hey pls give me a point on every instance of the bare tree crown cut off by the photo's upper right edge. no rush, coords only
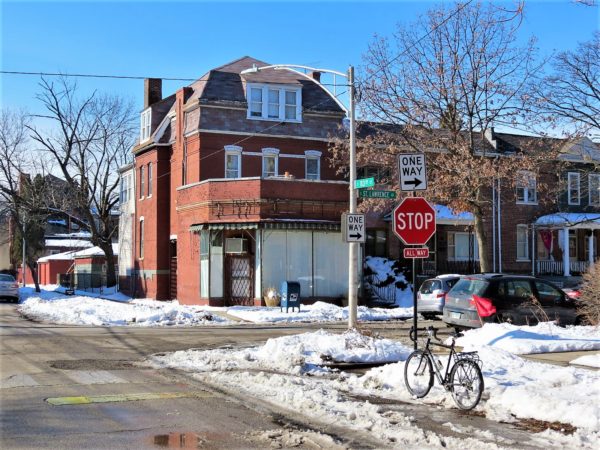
(572, 91)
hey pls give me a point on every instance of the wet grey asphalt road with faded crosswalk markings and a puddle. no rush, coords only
(83, 387)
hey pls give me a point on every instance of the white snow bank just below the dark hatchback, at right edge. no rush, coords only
(542, 338)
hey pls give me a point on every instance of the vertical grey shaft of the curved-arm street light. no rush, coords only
(353, 250)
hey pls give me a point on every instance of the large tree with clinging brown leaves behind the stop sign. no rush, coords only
(442, 84)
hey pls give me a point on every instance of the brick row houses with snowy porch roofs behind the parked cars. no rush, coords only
(530, 220)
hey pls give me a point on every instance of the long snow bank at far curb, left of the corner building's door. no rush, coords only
(83, 310)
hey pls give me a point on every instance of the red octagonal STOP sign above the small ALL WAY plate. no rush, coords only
(414, 221)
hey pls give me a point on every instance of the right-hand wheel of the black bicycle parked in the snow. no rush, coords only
(467, 384)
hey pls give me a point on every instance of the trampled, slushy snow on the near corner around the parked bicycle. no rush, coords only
(285, 372)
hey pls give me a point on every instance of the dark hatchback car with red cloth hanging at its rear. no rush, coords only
(520, 300)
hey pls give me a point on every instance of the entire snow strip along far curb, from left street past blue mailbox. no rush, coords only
(85, 308)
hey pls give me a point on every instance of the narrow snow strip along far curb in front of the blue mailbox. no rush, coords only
(318, 312)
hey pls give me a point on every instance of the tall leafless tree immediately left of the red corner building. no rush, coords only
(92, 137)
